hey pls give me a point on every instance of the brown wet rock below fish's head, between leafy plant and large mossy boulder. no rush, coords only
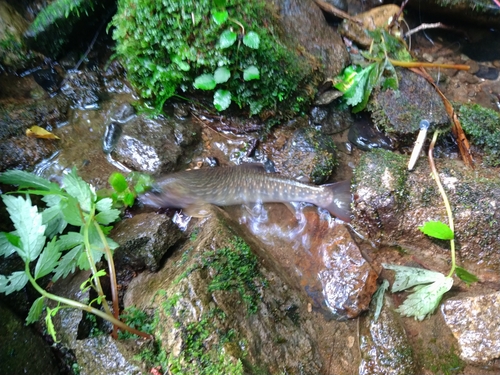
(144, 239)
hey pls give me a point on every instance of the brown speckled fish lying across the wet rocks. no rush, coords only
(243, 184)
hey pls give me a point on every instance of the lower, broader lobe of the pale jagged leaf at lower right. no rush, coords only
(425, 298)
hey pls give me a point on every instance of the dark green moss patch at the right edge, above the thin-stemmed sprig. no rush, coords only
(483, 125)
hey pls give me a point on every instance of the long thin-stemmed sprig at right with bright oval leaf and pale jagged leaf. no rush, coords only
(429, 286)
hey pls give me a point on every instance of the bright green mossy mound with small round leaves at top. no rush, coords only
(175, 46)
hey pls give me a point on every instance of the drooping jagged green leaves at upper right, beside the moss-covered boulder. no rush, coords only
(357, 82)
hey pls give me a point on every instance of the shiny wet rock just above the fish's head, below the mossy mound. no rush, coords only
(155, 145)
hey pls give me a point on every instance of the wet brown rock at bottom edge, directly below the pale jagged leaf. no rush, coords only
(384, 344)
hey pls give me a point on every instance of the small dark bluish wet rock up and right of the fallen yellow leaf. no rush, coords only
(82, 88)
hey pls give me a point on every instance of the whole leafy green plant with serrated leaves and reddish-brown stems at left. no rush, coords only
(35, 240)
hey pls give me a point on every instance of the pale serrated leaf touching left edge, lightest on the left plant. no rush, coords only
(28, 223)
